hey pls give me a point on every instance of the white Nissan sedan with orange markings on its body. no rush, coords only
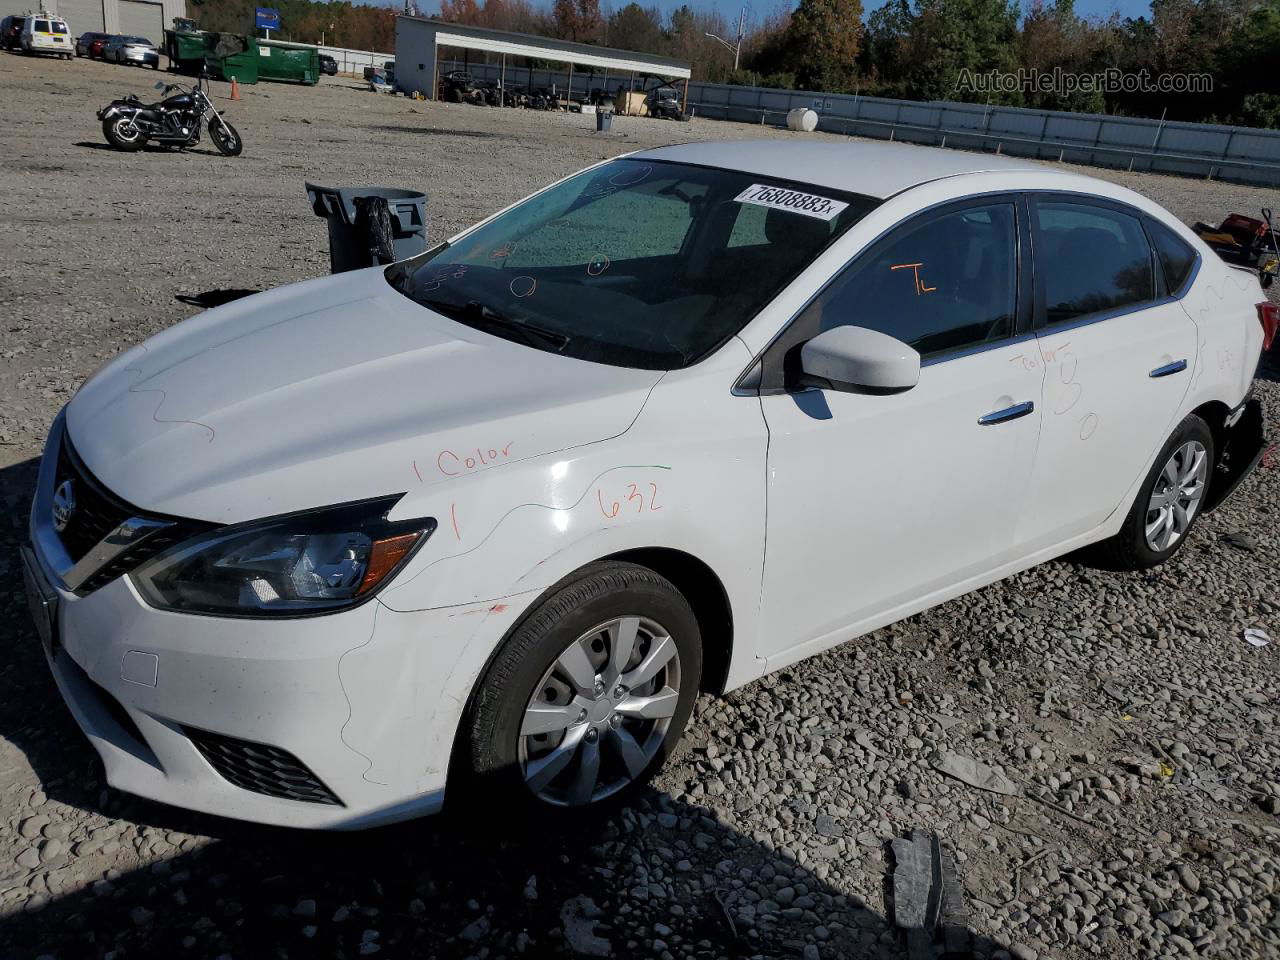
(490, 519)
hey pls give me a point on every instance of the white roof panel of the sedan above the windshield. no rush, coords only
(872, 170)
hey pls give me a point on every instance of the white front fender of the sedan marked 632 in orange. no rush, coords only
(689, 476)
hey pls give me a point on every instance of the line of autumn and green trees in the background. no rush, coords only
(909, 49)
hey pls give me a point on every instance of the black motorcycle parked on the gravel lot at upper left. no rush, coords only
(130, 124)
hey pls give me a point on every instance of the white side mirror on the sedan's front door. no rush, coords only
(857, 360)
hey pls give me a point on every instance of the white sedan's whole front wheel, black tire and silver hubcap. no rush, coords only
(587, 698)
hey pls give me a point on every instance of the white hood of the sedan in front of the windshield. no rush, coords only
(327, 392)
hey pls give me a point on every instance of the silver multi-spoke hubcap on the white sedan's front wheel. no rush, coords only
(601, 712)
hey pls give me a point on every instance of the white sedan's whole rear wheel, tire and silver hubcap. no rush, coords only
(1168, 504)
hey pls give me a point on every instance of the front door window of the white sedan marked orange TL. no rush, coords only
(941, 285)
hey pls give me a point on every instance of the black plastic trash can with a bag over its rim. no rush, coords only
(371, 226)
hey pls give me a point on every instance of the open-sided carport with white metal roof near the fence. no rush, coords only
(419, 42)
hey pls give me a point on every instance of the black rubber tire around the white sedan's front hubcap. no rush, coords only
(490, 760)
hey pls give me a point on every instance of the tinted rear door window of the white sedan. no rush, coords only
(1090, 259)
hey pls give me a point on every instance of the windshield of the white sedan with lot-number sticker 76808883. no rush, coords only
(637, 263)
